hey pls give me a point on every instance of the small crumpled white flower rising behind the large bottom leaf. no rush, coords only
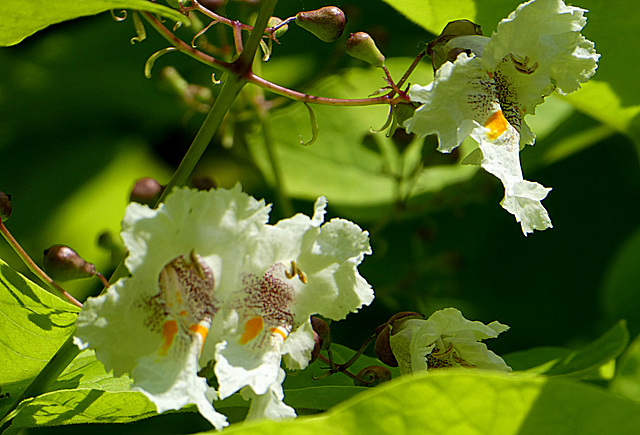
(446, 339)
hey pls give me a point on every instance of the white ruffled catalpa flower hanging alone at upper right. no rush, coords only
(485, 86)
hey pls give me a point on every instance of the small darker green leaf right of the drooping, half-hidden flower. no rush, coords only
(558, 361)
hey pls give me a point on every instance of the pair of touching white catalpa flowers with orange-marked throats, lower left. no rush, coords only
(212, 281)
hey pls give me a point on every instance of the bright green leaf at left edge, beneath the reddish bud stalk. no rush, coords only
(33, 325)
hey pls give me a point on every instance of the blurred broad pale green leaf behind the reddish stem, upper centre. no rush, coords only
(348, 164)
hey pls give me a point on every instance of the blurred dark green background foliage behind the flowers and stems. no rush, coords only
(79, 124)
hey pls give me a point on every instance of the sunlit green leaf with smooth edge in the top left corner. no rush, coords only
(20, 19)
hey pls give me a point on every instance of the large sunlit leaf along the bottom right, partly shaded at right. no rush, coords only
(469, 402)
